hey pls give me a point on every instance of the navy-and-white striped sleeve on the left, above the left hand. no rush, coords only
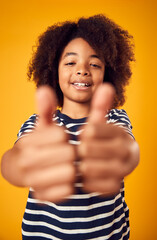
(28, 126)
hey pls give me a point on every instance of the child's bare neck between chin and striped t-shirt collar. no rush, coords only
(76, 110)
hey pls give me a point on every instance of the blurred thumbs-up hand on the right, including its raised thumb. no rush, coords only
(107, 153)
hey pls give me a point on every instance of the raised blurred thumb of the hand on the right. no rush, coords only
(102, 101)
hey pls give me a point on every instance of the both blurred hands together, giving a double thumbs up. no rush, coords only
(44, 160)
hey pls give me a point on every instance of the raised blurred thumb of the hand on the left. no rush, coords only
(46, 105)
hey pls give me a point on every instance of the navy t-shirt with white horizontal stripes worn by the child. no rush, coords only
(85, 215)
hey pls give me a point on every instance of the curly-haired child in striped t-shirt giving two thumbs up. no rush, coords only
(75, 162)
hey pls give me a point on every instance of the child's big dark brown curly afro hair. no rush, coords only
(109, 40)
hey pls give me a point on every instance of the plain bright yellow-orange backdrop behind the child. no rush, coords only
(21, 22)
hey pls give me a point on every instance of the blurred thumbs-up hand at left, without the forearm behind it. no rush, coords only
(46, 159)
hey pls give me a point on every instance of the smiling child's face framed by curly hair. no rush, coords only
(80, 71)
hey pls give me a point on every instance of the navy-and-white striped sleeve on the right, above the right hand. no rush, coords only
(120, 118)
